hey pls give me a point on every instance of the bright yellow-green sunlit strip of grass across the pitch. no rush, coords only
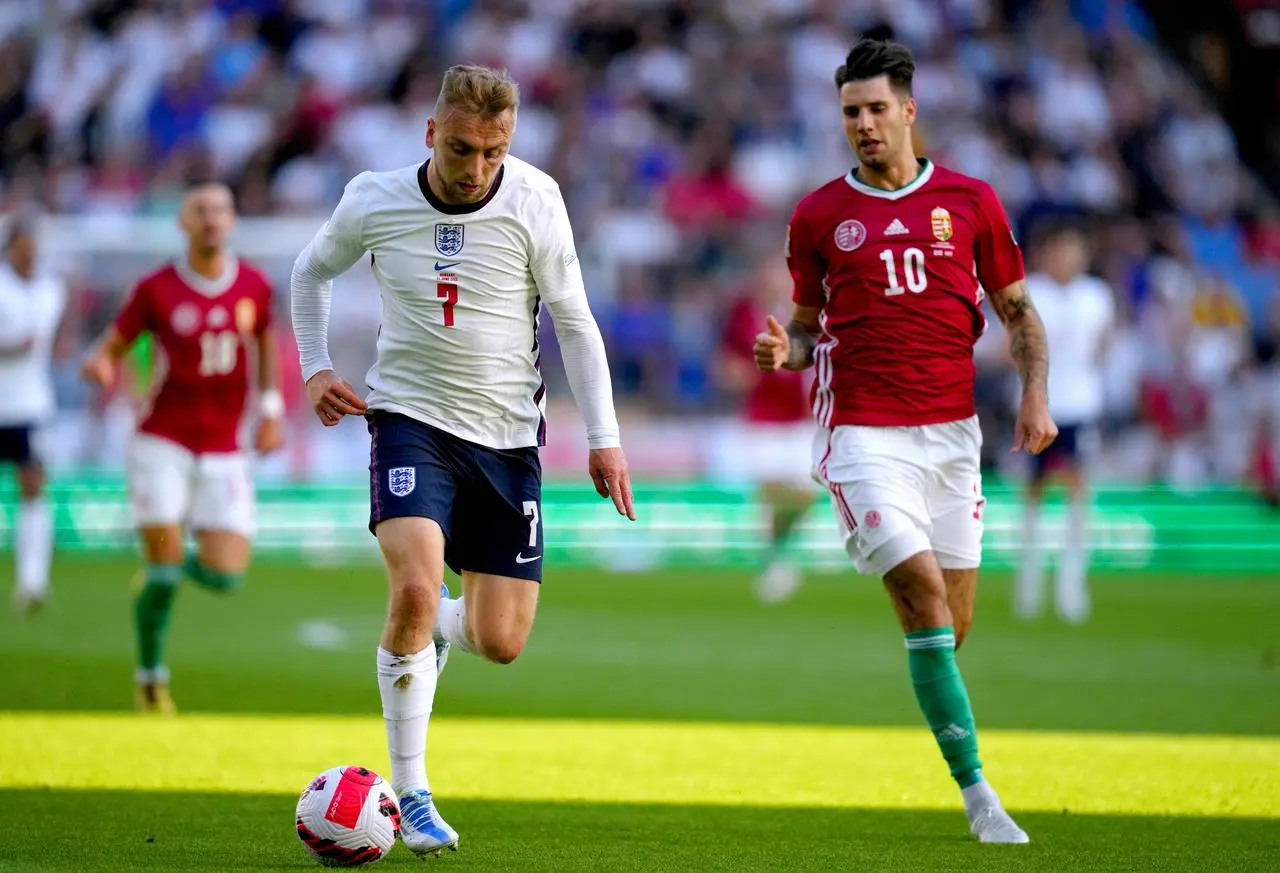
(651, 762)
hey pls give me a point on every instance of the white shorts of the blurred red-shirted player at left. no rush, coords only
(172, 486)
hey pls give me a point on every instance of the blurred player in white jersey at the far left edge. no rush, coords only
(31, 309)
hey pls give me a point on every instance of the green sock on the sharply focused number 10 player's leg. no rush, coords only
(940, 689)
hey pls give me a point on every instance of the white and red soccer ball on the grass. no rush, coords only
(349, 817)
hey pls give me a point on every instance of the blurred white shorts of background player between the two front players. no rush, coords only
(764, 454)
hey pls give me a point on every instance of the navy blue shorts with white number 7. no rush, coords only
(488, 502)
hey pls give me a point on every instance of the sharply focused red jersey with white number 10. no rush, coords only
(899, 277)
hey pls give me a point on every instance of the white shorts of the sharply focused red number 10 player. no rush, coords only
(903, 491)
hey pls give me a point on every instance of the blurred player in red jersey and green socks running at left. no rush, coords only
(186, 465)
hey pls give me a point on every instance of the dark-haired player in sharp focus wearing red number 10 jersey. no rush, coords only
(890, 264)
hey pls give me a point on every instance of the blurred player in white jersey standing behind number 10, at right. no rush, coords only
(1080, 317)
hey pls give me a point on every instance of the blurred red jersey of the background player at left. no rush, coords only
(200, 330)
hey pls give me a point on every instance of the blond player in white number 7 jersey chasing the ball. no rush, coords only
(467, 249)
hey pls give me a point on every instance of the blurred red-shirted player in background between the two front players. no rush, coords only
(770, 447)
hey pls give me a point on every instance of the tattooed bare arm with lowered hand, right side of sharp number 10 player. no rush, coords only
(1030, 350)
